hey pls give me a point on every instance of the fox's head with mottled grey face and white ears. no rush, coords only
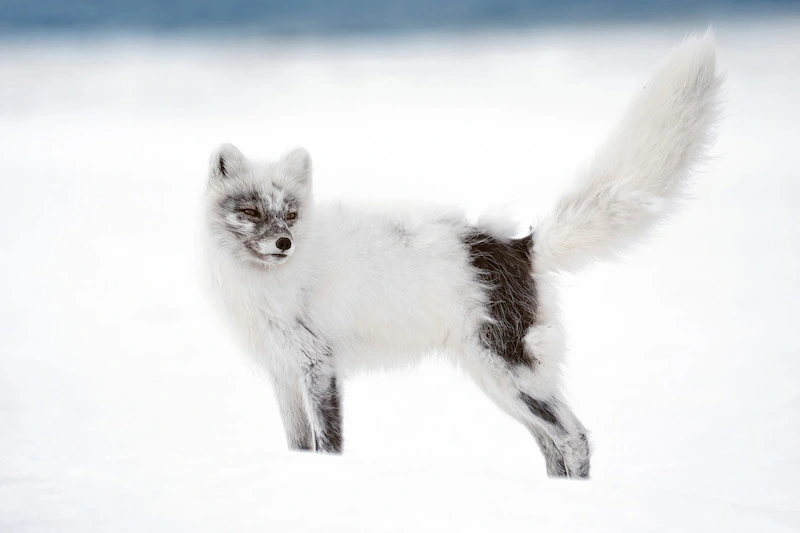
(257, 211)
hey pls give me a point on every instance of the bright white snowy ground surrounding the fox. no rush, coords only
(125, 407)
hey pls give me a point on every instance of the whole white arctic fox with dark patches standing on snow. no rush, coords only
(318, 291)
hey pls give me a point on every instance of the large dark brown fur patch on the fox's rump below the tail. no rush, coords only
(504, 267)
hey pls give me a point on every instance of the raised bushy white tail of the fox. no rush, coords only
(638, 176)
